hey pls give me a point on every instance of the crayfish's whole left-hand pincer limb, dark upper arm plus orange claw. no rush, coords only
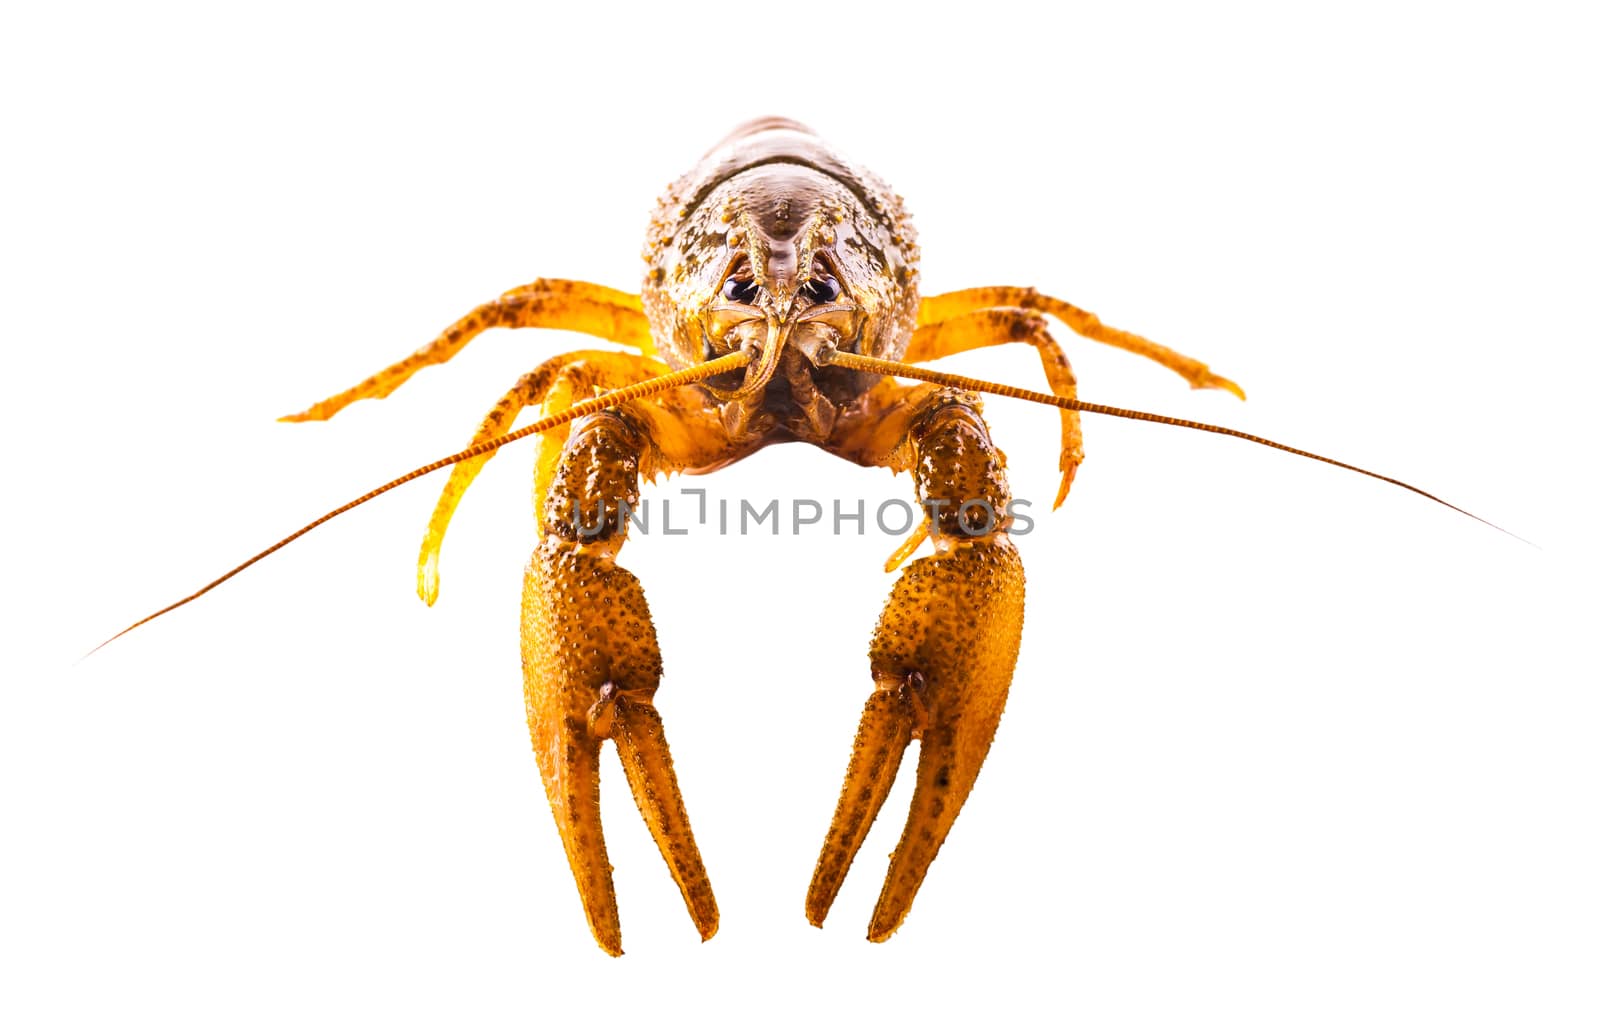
(591, 668)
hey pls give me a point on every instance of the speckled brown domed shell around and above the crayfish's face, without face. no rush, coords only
(775, 178)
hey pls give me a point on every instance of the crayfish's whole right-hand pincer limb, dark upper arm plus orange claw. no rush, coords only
(942, 658)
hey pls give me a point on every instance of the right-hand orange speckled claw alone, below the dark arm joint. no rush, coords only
(942, 660)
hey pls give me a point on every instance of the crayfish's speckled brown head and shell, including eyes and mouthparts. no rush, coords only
(777, 247)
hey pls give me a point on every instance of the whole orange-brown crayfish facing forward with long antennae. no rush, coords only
(780, 305)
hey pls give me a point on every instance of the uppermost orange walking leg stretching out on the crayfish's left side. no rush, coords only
(567, 306)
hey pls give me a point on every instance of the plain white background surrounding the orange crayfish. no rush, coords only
(1284, 744)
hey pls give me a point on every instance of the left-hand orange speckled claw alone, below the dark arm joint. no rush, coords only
(591, 669)
